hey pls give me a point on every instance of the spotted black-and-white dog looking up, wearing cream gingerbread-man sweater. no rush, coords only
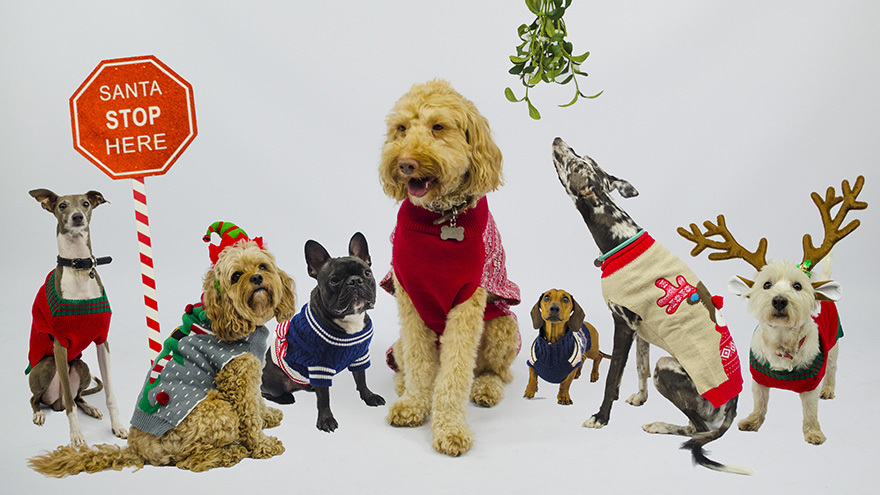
(655, 297)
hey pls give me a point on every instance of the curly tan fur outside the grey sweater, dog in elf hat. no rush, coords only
(228, 425)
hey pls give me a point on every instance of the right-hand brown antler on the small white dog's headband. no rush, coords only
(833, 231)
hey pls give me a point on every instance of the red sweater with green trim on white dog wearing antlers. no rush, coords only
(809, 376)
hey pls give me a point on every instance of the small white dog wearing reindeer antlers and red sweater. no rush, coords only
(794, 346)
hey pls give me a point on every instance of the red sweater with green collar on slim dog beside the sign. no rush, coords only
(74, 323)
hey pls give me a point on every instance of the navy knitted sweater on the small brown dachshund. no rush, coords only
(554, 362)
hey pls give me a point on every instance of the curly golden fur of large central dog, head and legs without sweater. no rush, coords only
(439, 154)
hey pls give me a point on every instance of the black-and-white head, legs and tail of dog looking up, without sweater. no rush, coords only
(590, 187)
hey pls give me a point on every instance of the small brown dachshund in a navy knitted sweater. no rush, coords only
(558, 317)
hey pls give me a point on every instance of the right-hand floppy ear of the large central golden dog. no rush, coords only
(485, 174)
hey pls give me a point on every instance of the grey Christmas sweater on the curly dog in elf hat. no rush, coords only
(185, 369)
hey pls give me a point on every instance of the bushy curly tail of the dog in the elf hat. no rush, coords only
(67, 460)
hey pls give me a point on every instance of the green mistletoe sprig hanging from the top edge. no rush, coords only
(545, 55)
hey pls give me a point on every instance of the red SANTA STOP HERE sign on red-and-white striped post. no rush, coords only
(133, 117)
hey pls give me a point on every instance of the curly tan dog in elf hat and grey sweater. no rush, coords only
(200, 406)
